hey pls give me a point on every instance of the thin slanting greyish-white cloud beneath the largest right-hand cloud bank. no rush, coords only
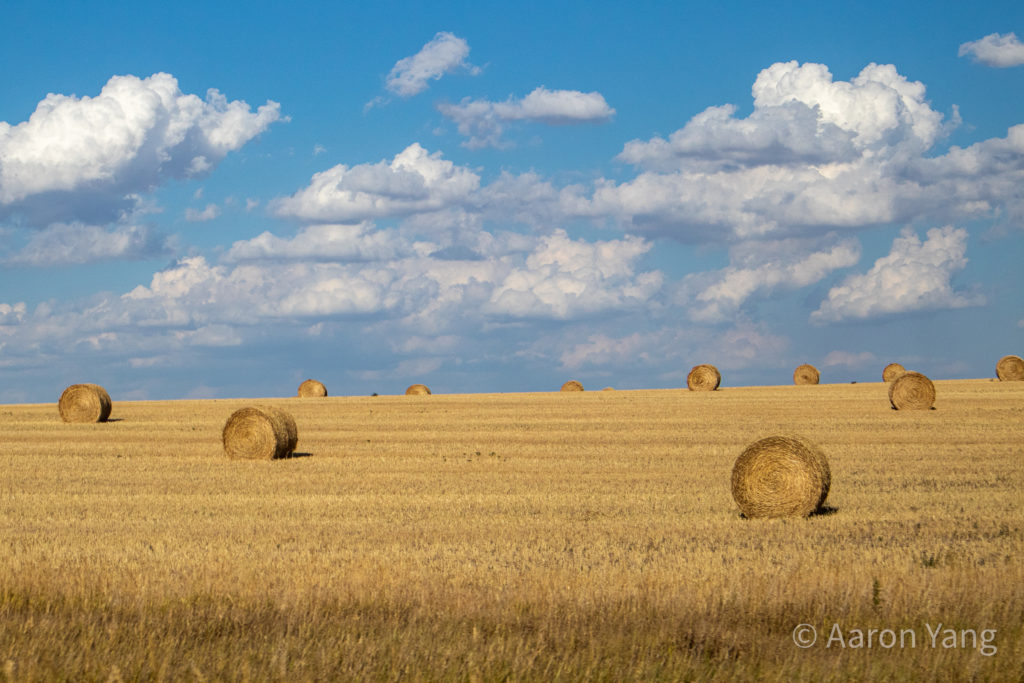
(765, 267)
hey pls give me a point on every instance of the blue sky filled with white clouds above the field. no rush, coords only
(202, 201)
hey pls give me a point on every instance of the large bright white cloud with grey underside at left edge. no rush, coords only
(87, 158)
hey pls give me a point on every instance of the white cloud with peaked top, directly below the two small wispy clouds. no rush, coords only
(414, 181)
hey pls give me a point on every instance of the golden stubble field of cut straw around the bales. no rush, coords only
(516, 537)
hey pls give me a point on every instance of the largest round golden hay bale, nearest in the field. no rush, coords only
(781, 477)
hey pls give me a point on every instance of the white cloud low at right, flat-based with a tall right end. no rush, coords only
(916, 276)
